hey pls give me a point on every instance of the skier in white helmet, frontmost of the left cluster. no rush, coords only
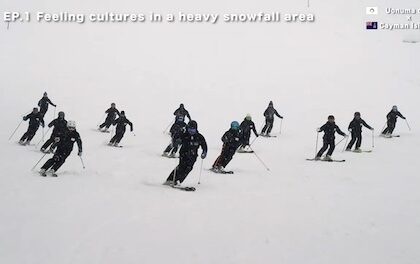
(64, 148)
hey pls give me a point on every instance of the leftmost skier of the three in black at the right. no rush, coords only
(329, 138)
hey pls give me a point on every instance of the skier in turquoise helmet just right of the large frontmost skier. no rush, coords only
(231, 142)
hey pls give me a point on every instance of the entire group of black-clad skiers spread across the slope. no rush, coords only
(185, 137)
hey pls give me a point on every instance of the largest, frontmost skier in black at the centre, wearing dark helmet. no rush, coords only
(191, 141)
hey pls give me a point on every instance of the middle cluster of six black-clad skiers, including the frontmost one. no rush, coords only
(188, 139)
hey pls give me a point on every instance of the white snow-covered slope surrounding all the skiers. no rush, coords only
(365, 210)
